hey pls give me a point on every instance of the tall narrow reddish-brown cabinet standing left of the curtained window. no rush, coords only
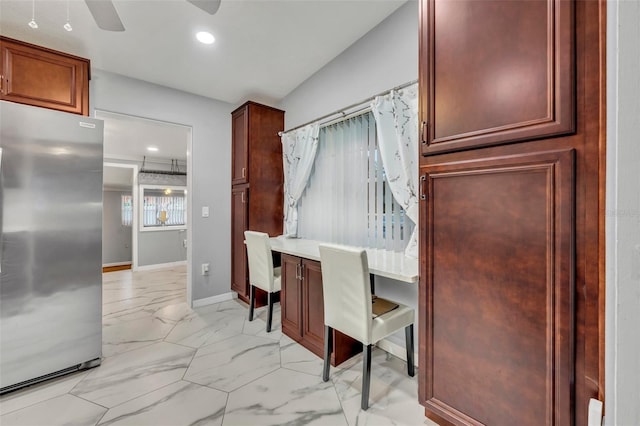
(256, 184)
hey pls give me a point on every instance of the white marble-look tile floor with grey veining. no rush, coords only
(167, 364)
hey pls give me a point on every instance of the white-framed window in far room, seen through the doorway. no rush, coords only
(163, 207)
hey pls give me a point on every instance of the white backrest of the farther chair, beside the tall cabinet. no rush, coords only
(260, 260)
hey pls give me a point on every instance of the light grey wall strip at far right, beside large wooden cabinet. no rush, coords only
(622, 335)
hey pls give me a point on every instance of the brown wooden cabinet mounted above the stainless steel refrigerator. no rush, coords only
(42, 77)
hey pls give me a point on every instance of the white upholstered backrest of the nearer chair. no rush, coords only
(346, 291)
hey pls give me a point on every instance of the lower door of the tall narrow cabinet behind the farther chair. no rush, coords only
(239, 216)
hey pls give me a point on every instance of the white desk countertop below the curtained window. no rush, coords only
(383, 263)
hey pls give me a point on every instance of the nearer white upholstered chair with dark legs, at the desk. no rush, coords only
(348, 309)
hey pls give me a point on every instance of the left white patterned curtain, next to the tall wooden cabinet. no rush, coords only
(298, 152)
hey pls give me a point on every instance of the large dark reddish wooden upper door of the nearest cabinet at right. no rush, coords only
(494, 72)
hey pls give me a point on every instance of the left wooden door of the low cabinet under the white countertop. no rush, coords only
(291, 297)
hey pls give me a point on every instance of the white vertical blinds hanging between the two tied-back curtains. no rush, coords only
(347, 199)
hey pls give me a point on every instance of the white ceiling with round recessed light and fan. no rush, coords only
(264, 48)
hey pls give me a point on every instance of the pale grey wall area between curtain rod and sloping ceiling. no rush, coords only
(385, 57)
